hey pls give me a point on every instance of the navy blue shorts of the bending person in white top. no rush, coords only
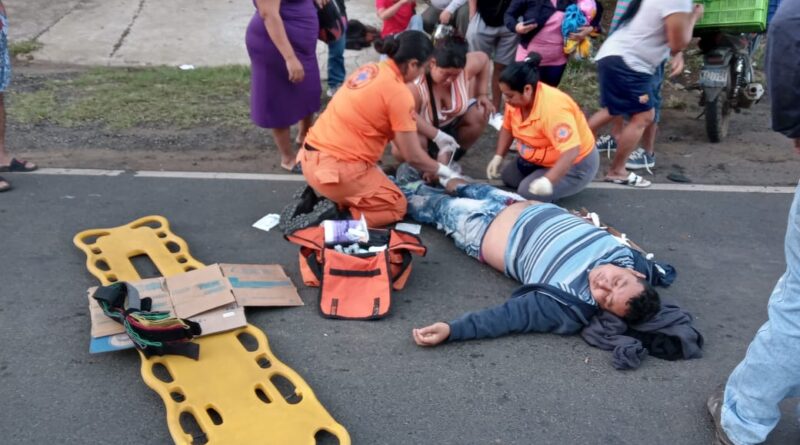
(623, 91)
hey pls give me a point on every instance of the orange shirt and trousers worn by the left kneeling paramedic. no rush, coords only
(343, 147)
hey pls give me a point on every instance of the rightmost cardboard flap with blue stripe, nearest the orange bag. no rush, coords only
(261, 285)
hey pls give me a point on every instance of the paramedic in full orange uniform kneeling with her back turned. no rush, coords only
(373, 107)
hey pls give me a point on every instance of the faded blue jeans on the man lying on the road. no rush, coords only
(465, 216)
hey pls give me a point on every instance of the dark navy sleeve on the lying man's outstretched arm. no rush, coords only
(531, 312)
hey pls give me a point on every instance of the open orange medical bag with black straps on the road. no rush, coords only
(356, 286)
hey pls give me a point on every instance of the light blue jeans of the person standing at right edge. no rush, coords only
(770, 371)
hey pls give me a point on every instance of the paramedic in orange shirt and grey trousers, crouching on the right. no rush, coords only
(557, 157)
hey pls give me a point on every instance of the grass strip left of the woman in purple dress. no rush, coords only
(123, 98)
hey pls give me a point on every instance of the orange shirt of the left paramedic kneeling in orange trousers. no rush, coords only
(373, 104)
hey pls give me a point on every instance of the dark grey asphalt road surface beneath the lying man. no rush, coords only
(528, 389)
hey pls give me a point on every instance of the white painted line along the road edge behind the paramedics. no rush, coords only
(278, 177)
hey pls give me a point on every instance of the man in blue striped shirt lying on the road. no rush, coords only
(577, 278)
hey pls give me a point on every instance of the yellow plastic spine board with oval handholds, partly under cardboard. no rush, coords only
(238, 392)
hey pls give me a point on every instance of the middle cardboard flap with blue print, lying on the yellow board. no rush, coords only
(199, 291)
